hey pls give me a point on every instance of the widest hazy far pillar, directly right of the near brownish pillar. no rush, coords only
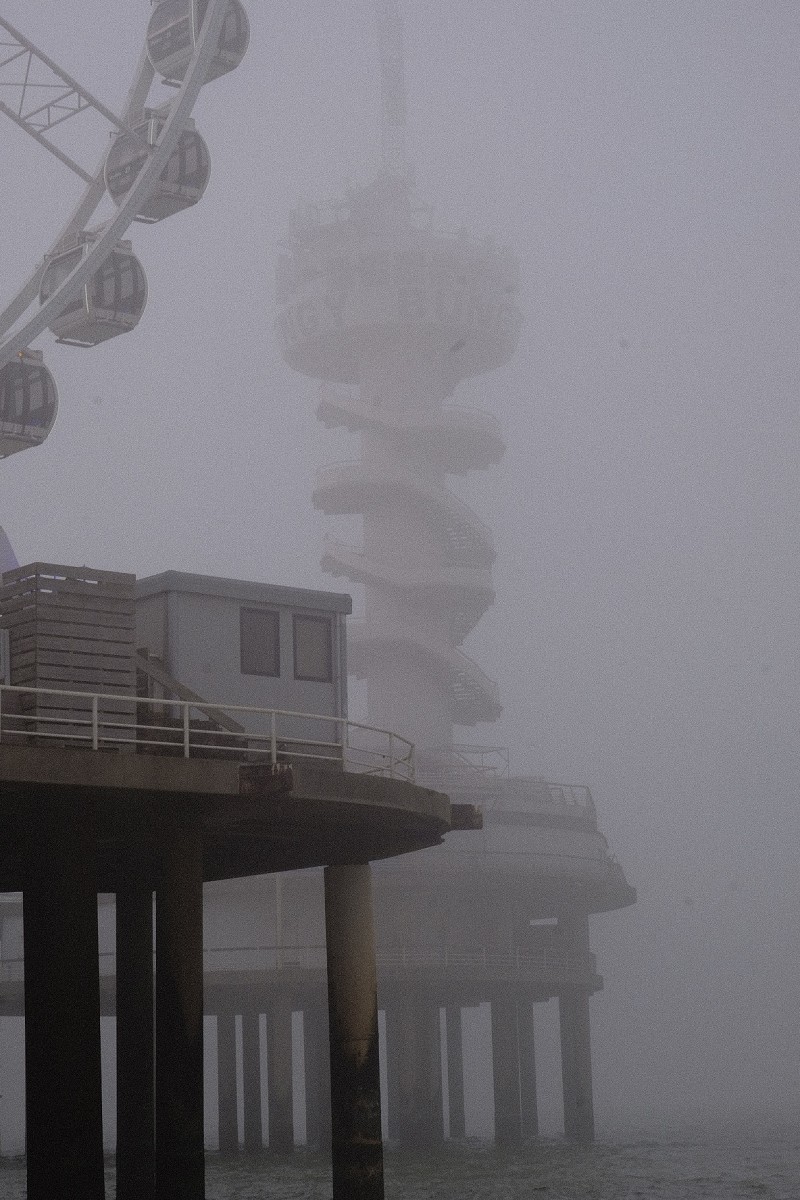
(414, 1063)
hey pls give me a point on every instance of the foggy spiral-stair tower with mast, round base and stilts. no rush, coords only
(390, 315)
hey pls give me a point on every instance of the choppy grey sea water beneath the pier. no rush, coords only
(721, 1167)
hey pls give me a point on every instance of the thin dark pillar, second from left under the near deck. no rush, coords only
(136, 1163)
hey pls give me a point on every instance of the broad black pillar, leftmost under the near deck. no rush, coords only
(63, 1067)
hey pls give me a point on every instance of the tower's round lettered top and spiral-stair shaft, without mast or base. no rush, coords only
(392, 316)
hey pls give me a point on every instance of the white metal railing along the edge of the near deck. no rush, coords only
(197, 730)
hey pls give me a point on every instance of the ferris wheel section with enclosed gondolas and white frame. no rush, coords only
(91, 286)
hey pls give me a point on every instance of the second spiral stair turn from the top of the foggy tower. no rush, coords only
(353, 488)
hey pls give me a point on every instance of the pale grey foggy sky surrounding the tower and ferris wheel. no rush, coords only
(642, 161)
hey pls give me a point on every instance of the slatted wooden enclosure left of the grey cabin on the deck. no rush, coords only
(71, 629)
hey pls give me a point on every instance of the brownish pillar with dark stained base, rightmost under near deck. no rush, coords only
(358, 1157)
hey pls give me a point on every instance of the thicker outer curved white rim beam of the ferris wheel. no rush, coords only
(149, 175)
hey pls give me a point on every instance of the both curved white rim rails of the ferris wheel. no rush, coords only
(15, 341)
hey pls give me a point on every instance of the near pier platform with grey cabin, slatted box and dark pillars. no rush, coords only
(118, 779)
